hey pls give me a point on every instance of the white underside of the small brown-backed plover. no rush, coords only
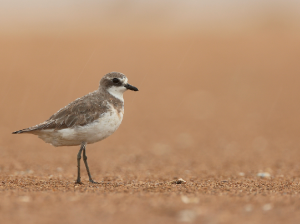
(98, 130)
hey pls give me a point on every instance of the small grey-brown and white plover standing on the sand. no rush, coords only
(86, 120)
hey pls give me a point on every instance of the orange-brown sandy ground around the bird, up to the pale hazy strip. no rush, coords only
(222, 113)
